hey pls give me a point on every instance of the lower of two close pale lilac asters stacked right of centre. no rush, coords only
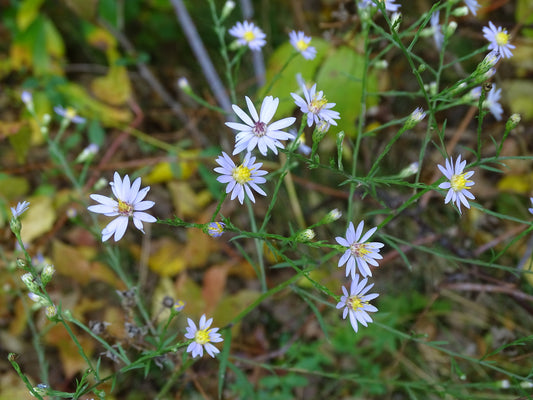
(356, 303)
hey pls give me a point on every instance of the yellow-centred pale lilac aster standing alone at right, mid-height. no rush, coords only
(458, 185)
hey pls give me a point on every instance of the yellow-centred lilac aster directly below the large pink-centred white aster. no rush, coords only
(242, 179)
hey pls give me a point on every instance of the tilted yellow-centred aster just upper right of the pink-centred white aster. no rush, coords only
(316, 106)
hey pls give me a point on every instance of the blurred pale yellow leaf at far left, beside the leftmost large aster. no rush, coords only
(39, 218)
